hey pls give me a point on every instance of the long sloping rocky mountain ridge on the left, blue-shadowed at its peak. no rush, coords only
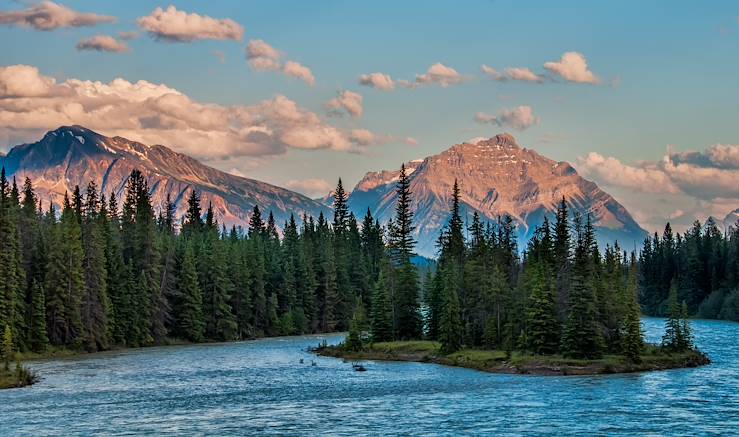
(74, 155)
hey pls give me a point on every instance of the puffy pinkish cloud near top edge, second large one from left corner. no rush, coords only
(179, 26)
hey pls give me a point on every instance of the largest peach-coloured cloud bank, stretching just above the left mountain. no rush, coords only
(31, 103)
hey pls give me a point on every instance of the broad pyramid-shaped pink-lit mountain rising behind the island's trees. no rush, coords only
(496, 177)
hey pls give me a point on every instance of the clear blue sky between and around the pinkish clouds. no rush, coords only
(667, 76)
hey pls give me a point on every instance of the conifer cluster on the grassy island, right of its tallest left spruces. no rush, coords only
(560, 296)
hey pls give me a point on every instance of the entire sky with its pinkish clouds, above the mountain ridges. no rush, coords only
(641, 97)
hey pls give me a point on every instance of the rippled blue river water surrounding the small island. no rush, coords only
(260, 387)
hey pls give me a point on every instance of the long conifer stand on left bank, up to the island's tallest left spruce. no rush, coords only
(97, 275)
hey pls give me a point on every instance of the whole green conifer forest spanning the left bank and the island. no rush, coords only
(96, 275)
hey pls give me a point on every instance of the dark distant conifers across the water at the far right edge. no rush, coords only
(701, 265)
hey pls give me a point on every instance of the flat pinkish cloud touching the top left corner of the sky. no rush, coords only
(48, 15)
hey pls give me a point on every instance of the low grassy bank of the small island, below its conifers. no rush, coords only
(496, 361)
